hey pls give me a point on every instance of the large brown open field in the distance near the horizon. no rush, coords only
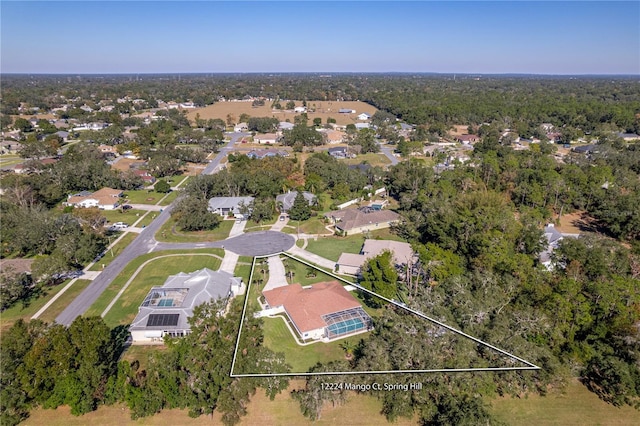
(324, 110)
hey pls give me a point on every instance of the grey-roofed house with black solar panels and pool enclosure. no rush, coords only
(167, 309)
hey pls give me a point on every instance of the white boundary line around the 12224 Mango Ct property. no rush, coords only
(529, 365)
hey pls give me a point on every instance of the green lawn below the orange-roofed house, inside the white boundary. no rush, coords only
(278, 338)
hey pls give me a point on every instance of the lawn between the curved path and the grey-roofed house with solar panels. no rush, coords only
(153, 274)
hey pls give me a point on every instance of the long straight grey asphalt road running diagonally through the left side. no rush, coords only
(144, 243)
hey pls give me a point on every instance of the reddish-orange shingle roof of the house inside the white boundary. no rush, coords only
(306, 306)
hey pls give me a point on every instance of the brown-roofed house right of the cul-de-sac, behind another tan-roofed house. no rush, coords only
(357, 221)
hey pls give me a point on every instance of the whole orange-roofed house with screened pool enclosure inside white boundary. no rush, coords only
(324, 311)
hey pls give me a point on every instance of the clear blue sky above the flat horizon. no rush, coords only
(478, 37)
